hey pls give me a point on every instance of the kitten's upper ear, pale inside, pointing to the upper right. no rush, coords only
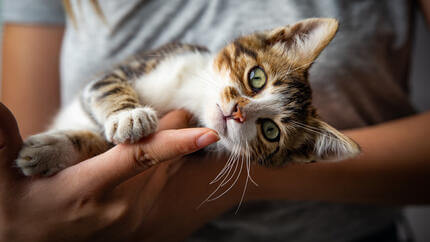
(303, 41)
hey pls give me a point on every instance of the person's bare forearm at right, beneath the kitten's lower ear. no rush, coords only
(394, 168)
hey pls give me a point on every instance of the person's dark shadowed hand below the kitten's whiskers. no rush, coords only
(177, 212)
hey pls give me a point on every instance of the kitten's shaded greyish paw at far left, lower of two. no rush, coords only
(45, 154)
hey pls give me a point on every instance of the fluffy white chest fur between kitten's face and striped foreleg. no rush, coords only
(177, 82)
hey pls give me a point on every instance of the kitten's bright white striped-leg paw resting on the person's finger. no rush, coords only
(130, 126)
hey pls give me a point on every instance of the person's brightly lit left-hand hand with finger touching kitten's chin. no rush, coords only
(105, 198)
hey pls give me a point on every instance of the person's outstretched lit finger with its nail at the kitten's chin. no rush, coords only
(122, 162)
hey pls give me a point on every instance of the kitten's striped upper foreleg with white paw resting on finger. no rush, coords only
(114, 104)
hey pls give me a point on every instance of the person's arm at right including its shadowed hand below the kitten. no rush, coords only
(393, 169)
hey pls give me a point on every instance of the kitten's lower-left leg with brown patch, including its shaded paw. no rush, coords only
(50, 152)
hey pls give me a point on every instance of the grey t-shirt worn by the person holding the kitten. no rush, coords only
(359, 80)
